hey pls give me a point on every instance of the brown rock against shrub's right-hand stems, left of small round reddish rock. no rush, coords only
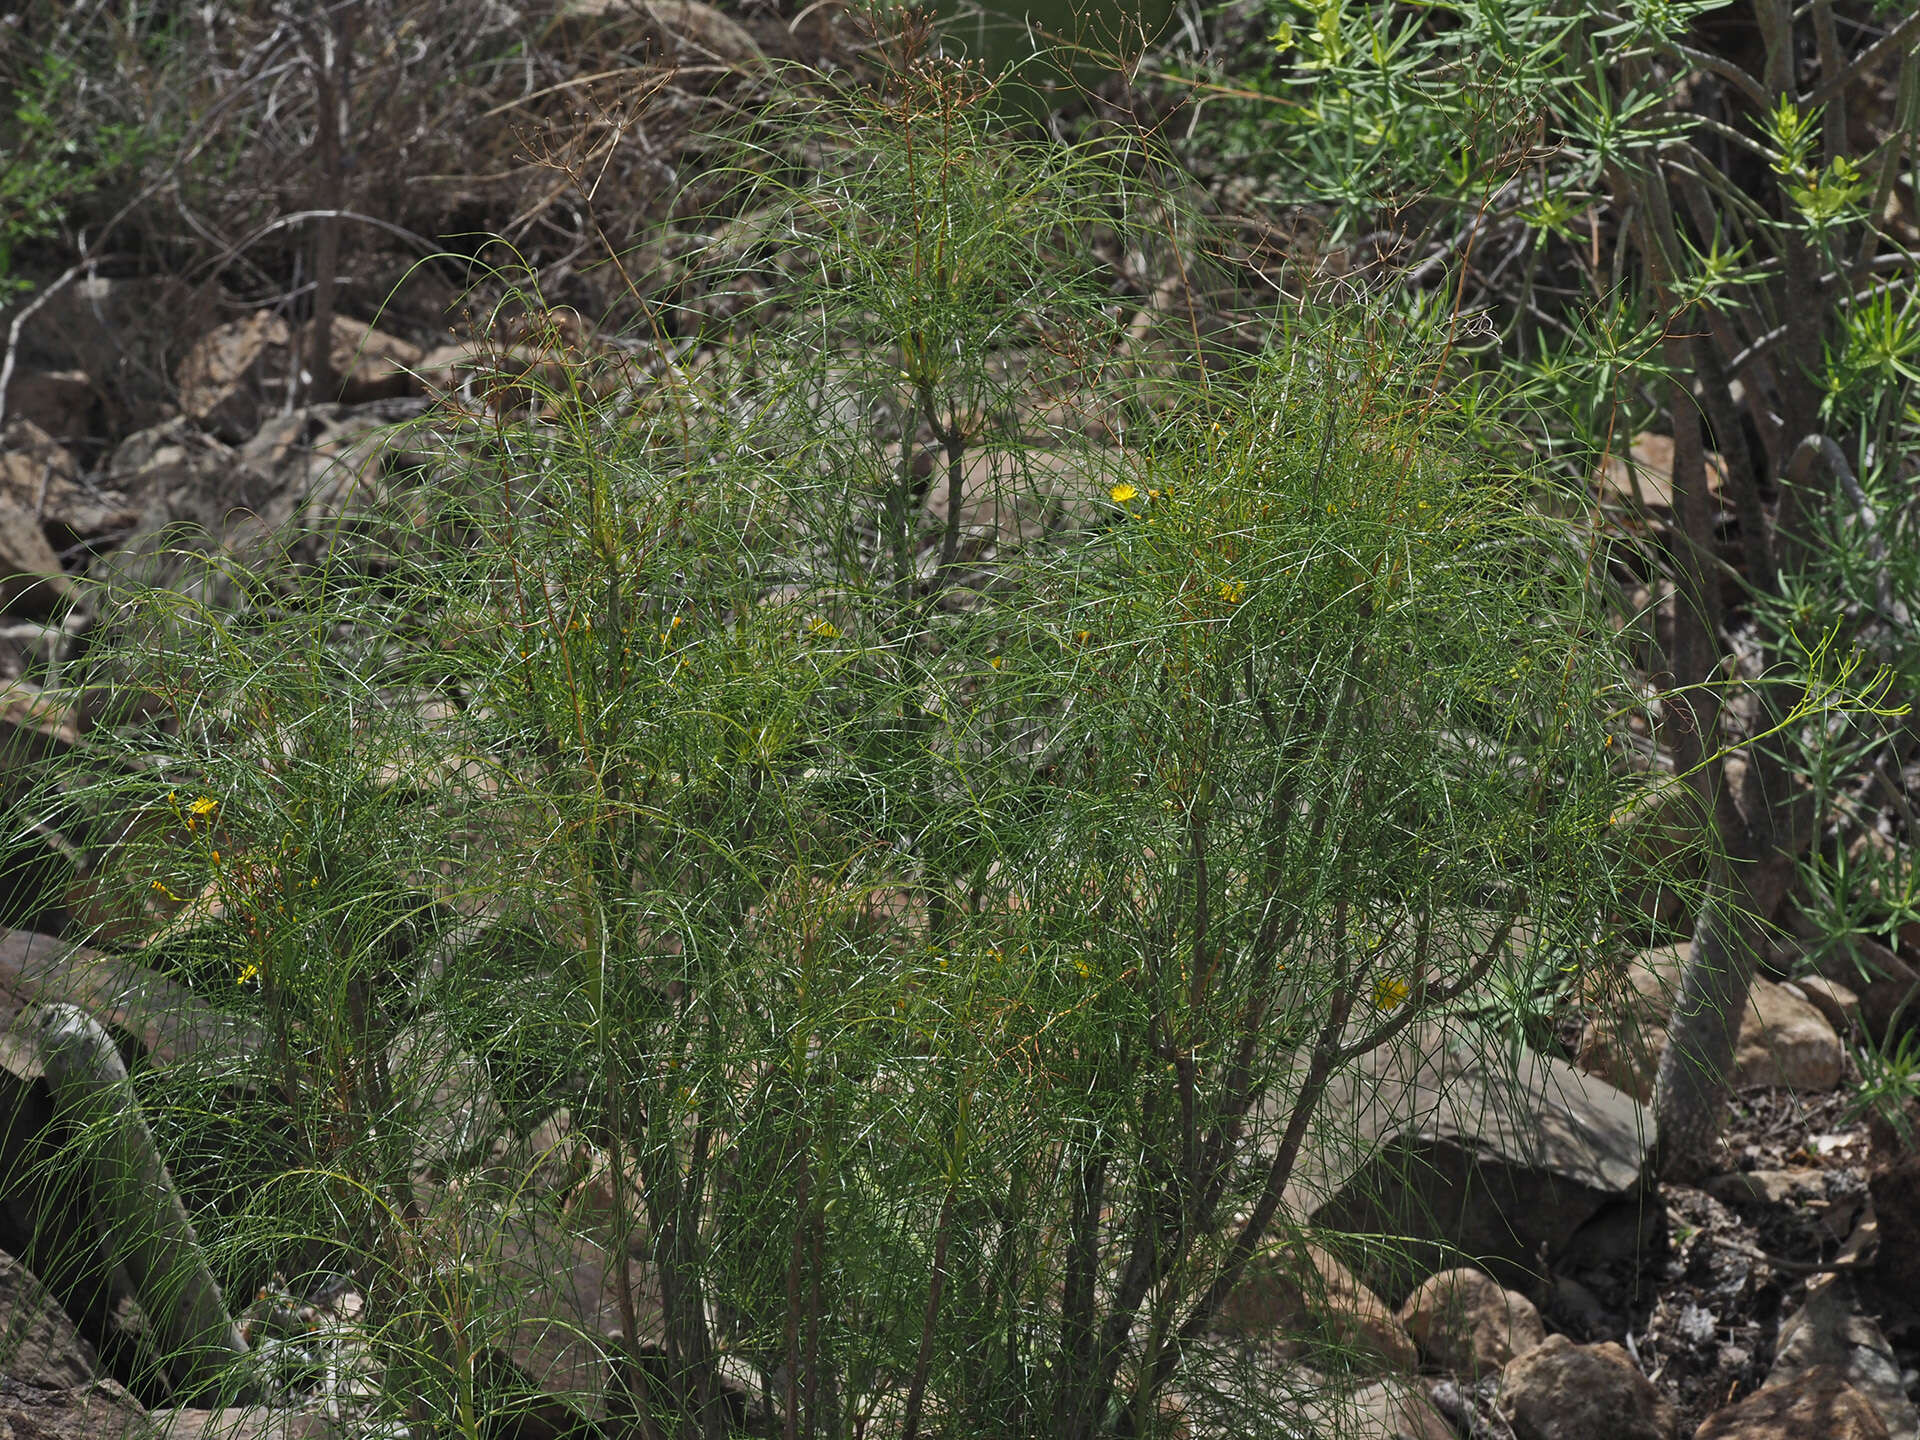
(1310, 1301)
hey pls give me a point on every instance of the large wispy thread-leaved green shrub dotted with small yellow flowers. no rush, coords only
(955, 936)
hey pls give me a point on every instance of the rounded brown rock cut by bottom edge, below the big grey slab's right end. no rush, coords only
(1560, 1391)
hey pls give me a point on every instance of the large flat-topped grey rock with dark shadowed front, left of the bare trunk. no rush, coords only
(1462, 1147)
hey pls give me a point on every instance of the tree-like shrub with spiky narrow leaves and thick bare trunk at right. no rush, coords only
(1698, 220)
